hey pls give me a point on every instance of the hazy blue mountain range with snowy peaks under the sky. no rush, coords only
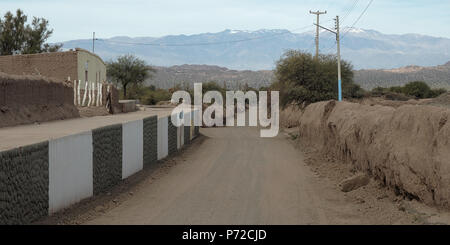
(259, 50)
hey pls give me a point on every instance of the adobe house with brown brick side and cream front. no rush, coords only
(78, 64)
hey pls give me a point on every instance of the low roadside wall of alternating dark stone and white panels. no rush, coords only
(41, 179)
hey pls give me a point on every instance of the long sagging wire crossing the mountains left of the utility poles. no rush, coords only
(205, 43)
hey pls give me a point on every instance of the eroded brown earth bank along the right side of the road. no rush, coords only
(407, 148)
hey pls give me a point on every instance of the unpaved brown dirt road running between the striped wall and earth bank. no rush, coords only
(232, 176)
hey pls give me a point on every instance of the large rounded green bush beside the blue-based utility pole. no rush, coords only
(303, 79)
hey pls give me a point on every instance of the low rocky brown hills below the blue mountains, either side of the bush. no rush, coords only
(167, 77)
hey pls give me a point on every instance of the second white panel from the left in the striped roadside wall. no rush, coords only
(132, 148)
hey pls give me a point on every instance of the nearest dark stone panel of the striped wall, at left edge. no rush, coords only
(24, 184)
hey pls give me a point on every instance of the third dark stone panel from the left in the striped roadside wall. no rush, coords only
(150, 140)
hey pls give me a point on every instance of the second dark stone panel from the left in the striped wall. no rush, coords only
(107, 157)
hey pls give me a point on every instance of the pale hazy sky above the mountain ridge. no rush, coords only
(72, 19)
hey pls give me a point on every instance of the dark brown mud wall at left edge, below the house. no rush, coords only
(30, 99)
